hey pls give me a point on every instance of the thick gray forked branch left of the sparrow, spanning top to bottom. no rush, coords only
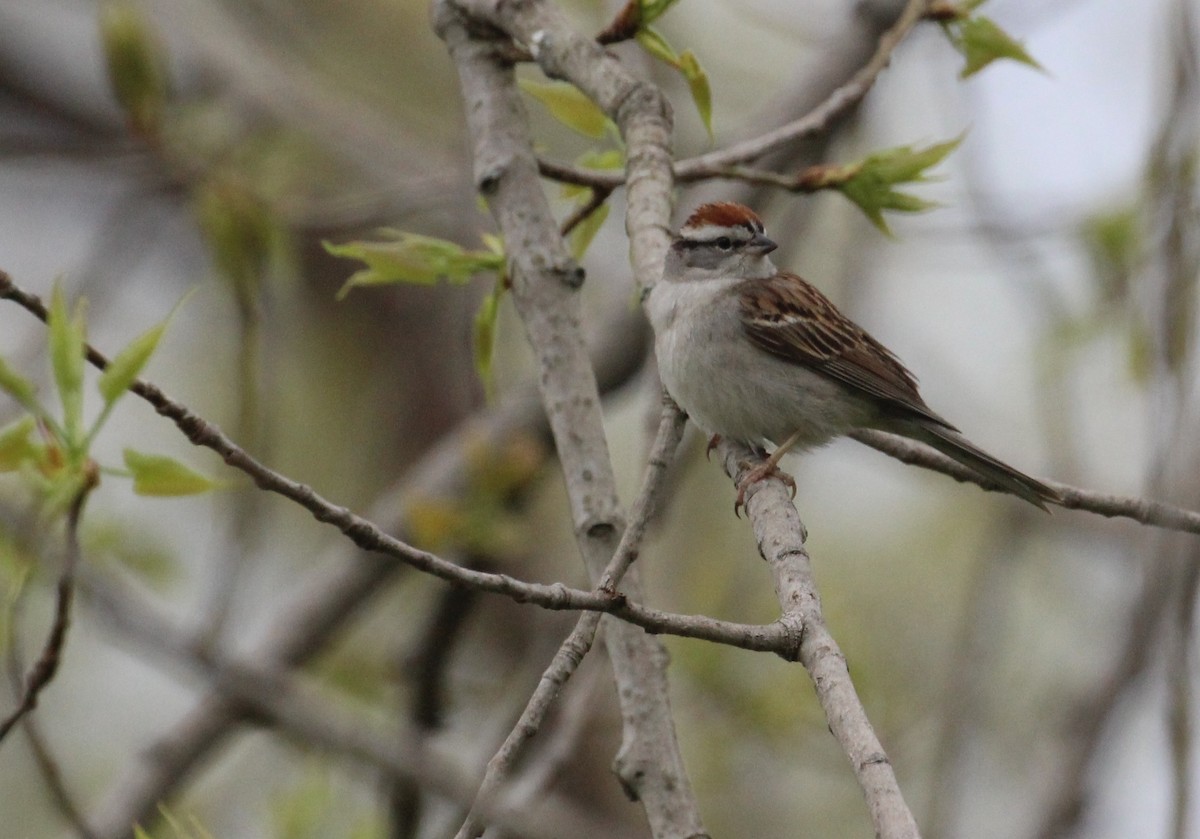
(545, 284)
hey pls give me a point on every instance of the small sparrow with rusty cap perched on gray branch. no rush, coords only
(753, 353)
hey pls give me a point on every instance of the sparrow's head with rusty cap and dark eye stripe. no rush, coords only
(721, 241)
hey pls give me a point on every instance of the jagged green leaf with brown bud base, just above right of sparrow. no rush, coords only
(871, 183)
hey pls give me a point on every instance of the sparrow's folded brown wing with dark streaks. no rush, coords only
(793, 321)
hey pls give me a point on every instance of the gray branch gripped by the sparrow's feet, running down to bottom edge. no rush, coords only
(782, 536)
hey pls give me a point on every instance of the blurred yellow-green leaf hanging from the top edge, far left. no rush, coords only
(137, 69)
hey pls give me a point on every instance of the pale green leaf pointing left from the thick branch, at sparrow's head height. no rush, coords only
(413, 259)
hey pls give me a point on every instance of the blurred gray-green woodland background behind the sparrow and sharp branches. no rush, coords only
(1030, 675)
